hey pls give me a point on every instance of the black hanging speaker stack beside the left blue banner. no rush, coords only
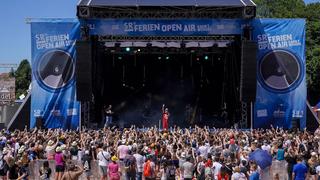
(83, 70)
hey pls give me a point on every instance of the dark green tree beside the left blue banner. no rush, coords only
(23, 77)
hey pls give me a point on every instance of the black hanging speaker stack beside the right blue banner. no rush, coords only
(248, 79)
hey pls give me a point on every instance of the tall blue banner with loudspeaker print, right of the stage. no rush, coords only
(281, 85)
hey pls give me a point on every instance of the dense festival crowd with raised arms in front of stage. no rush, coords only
(194, 153)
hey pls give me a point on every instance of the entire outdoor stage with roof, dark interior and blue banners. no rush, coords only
(212, 63)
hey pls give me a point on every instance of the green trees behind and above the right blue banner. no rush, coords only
(311, 12)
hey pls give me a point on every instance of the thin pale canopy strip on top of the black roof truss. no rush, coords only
(196, 3)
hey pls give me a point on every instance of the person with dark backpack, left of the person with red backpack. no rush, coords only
(130, 166)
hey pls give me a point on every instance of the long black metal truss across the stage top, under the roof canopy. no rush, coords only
(165, 12)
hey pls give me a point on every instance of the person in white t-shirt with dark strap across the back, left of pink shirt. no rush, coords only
(103, 157)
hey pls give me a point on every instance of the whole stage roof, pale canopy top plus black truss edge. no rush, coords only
(166, 9)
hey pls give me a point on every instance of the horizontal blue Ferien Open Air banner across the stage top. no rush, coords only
(165, 27)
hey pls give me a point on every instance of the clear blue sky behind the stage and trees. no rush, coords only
(15, 33)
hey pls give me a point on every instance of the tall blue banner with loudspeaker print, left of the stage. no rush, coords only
(53, 98)
